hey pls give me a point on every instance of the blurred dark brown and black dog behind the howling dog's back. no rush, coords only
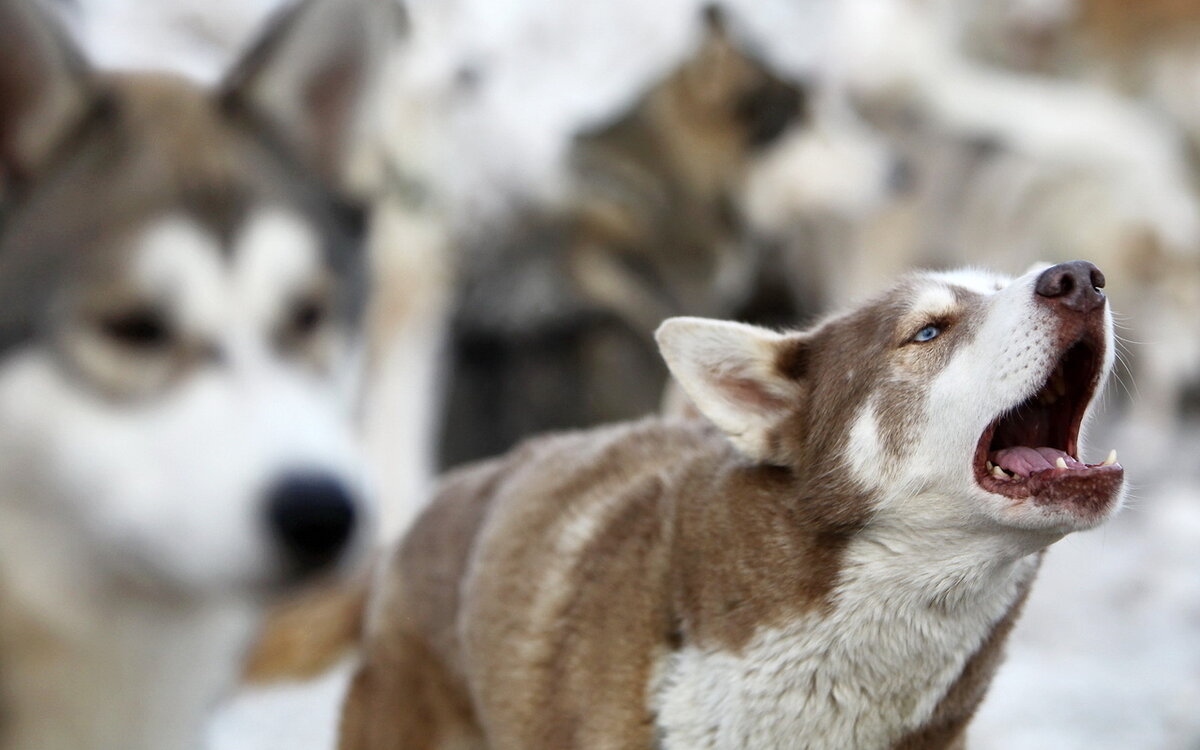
(555, 310)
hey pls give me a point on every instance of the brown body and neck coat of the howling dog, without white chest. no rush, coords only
(470, 601)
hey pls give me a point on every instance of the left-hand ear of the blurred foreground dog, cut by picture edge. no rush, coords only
(45, 88)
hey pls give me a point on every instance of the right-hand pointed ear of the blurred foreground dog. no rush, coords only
(310, 76)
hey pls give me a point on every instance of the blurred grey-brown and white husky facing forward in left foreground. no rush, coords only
(183, 286)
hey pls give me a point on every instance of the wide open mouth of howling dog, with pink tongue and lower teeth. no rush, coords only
(1033, 451)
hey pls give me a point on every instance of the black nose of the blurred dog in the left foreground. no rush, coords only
(313, 517)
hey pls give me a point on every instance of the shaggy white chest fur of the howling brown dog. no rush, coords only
(861, 676)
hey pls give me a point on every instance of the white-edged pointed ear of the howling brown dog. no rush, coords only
(741, 377)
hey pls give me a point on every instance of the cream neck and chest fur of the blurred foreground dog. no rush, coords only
(130, 673)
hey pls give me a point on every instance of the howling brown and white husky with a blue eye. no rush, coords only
(832, 561)
